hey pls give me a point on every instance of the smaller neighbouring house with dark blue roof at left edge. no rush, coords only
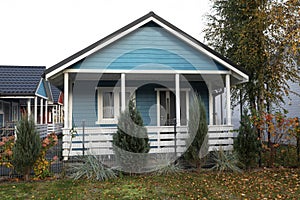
(24, 91)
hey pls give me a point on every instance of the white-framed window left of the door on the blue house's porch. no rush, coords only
(109, 103)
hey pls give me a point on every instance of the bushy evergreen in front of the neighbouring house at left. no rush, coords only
(27, 147)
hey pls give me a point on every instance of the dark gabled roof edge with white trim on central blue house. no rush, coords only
(150, 17)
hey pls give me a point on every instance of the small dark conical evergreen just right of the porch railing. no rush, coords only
(246, 144)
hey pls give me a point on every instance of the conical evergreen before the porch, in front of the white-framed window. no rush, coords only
(131, 142)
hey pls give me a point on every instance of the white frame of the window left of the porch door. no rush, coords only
(116, 91)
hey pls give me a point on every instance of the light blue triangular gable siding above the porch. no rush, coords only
(148, 48)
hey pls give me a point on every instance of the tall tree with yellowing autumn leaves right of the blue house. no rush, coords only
(264, 38)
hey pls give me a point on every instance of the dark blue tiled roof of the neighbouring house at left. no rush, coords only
(20, 80)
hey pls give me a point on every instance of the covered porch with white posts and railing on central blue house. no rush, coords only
(166, 120)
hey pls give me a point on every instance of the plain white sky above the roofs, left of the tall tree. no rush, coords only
(40, 32)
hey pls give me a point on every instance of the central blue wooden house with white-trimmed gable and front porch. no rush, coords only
(158, 65)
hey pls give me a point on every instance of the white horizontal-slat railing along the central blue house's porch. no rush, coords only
(98, 141)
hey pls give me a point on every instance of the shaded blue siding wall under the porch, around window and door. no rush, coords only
(85, 106)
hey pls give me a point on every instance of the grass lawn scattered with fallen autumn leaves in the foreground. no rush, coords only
(260, 184)
